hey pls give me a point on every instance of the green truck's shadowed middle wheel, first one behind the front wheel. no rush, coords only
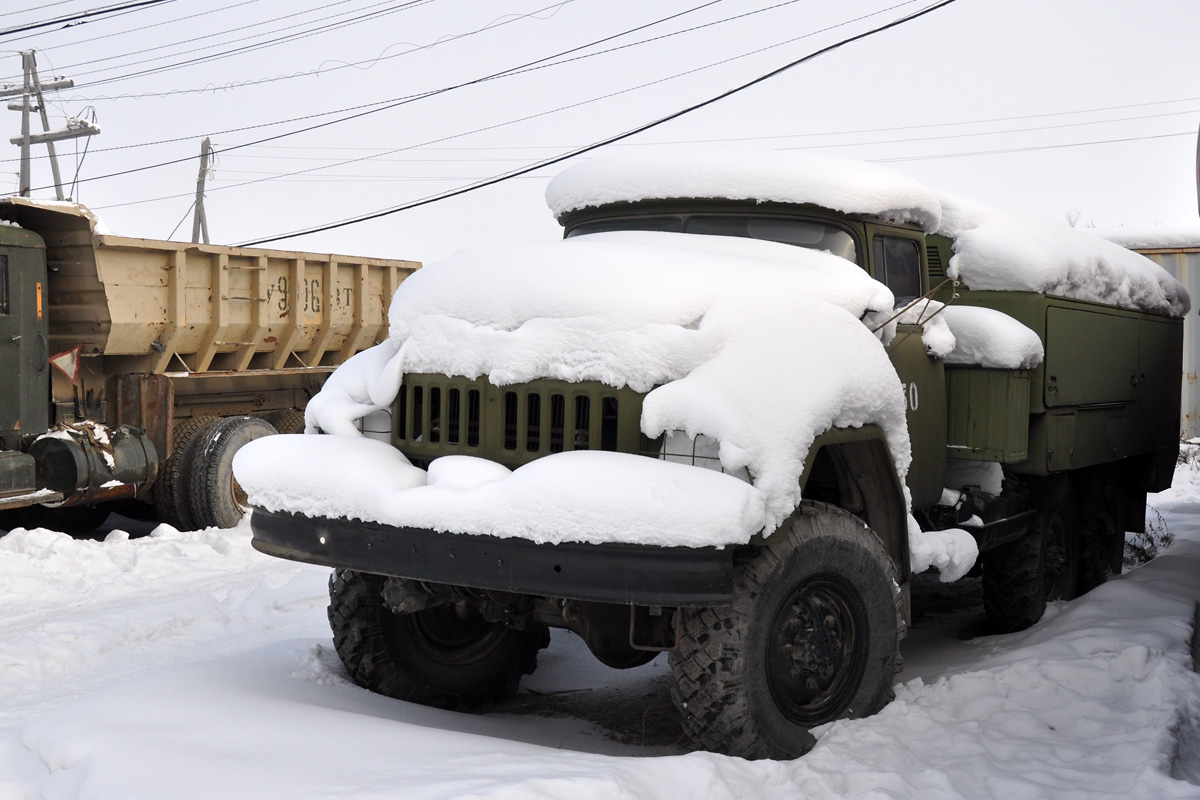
(1022, 576)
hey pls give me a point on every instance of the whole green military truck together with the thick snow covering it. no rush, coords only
(551, 476)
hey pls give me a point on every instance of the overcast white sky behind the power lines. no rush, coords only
(1082, 109)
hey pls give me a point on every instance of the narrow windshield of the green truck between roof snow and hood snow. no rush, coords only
(788, 231)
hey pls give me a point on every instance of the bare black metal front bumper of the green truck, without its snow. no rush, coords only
(635, 575)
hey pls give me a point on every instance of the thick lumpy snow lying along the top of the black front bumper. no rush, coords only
(580, 497)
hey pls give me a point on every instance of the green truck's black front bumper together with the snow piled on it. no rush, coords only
(584, 526)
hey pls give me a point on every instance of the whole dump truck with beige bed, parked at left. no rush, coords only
(135, 369)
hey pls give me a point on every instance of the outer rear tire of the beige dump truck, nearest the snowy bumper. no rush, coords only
(215, 498)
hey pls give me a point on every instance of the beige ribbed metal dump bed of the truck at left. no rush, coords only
(159, 306)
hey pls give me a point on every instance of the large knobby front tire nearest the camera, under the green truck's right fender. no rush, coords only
(813, 636)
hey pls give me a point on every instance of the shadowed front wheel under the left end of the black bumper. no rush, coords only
(435, 657)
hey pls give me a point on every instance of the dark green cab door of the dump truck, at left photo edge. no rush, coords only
(25, 371)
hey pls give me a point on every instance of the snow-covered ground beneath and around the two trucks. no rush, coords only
(190, 666)
